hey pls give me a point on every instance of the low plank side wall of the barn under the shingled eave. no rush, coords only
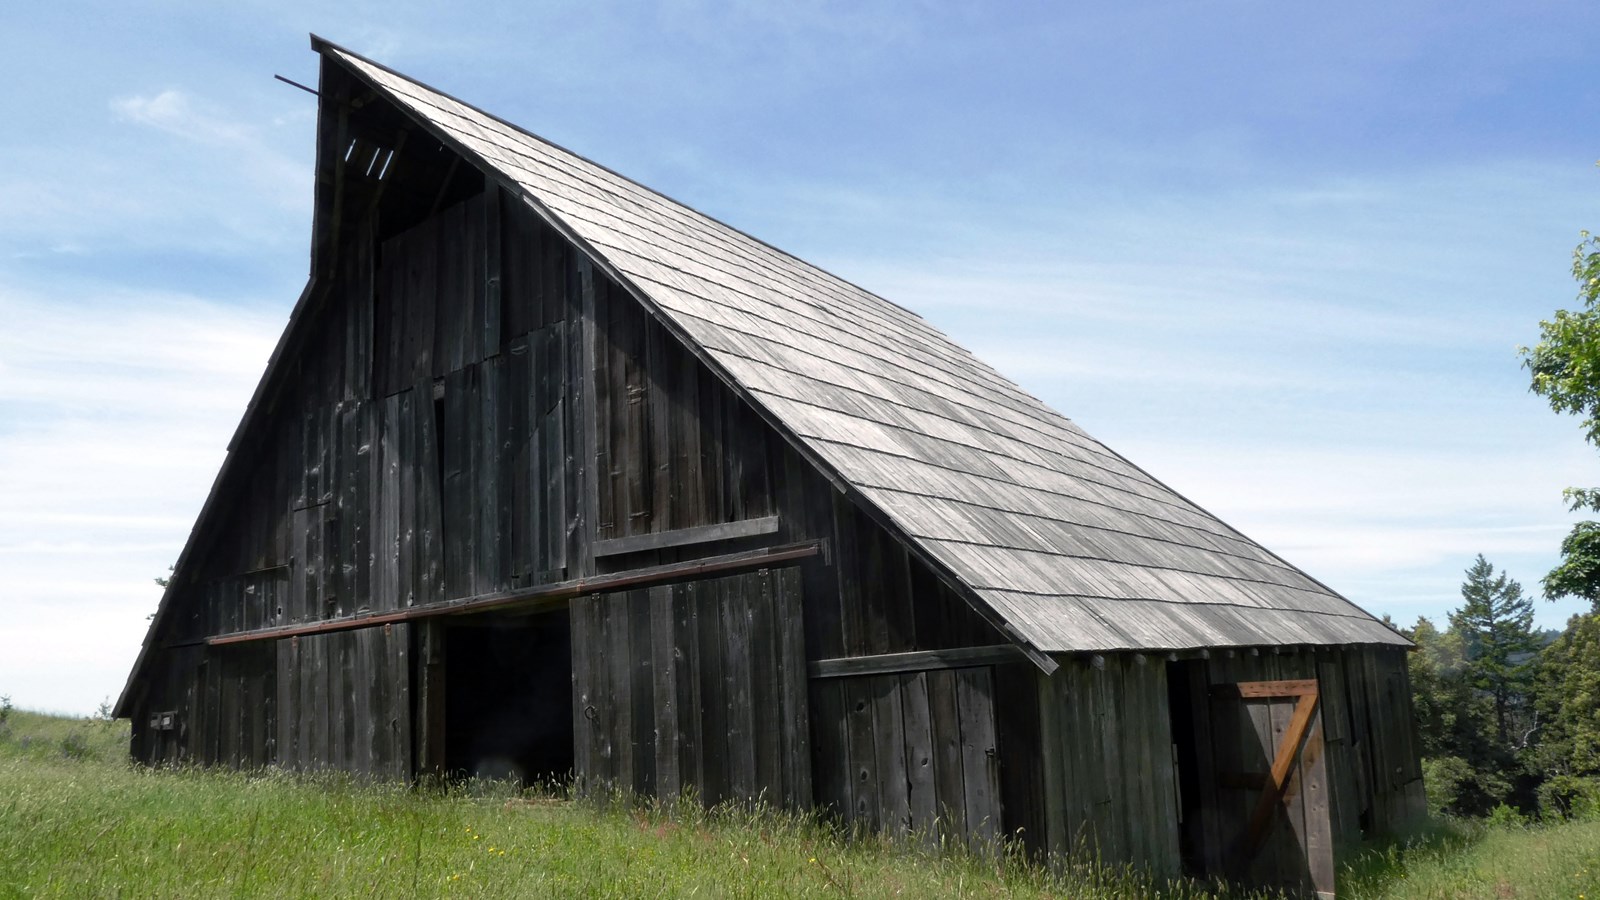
(1111, 773)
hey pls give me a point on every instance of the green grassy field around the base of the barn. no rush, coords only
(78, 822)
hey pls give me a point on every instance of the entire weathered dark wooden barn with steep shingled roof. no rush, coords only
(551, 475)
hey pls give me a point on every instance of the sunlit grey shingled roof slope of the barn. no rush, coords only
(1070, 544)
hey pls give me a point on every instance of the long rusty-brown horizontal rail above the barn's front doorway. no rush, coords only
(542, 595)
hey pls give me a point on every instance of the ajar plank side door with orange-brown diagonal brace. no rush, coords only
(1271, 826)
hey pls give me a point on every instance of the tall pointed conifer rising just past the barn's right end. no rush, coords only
(1495, 624)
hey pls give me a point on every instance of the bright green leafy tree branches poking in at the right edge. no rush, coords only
(1566, 371)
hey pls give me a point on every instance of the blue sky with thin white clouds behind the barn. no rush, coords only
(1278, 257)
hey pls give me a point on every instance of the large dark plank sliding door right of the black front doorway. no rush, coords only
(695, 688)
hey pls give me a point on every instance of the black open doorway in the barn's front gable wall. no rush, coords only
(510, 699)
